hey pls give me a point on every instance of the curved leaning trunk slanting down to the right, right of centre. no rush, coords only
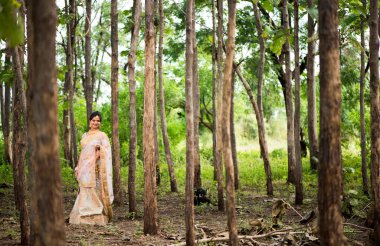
(261, 130)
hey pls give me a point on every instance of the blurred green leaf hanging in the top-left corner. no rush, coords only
(11, 25)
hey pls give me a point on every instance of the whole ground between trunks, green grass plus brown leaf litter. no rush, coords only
(254, 208)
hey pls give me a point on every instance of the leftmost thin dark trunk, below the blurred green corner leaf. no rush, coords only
(7, 107)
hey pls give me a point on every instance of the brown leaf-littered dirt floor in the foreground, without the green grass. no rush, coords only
(255, 214)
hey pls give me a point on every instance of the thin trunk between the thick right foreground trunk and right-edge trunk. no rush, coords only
(362, 105)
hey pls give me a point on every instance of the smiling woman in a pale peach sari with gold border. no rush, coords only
(94, 175)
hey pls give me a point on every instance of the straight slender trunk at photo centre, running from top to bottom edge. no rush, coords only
(190, 142)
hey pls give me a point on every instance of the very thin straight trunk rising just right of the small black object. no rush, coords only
(214, 88)
